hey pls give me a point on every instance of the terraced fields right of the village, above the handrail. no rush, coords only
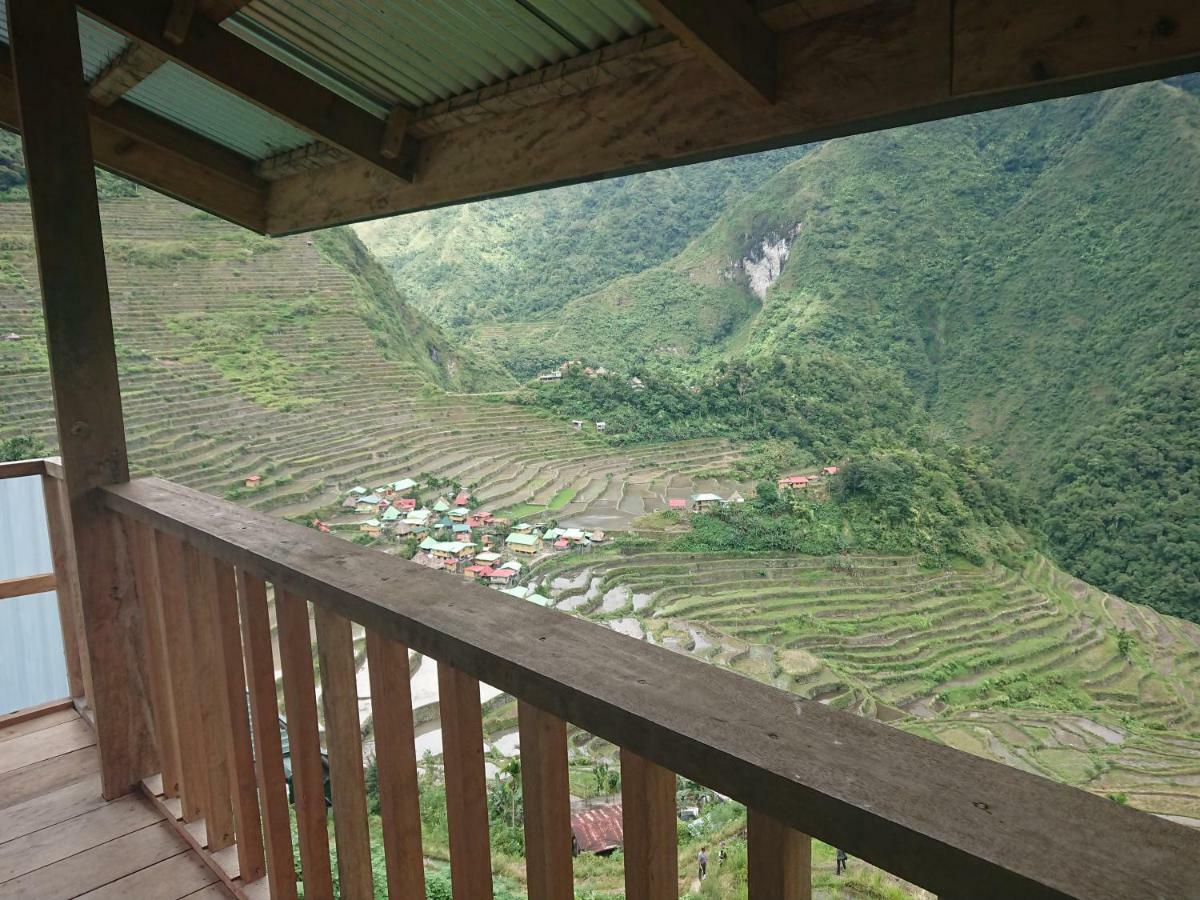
(1029, 668)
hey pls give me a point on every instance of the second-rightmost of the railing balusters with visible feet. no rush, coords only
(211, 695)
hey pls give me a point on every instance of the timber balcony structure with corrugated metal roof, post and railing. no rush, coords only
(287, 116)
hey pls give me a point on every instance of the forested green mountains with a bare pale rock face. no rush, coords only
(1029, 275)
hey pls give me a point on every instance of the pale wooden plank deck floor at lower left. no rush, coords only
(61, 839)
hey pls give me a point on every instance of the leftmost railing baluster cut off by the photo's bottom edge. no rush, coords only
(256, 635)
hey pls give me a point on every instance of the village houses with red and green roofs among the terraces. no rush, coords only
(455, 536)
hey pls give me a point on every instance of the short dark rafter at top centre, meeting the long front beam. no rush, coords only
(729, 37)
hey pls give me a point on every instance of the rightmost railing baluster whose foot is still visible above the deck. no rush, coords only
(239, 751)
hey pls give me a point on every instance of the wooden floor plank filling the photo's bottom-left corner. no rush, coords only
(99, 866)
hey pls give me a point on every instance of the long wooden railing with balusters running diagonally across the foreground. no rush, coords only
(955, 824)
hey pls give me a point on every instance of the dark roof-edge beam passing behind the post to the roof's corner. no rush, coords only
(139, 146)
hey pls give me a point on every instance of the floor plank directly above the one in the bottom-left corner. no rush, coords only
(50, 845)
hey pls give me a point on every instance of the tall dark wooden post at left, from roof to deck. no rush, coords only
(49, 71)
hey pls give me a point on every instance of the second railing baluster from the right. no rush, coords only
(651, 841)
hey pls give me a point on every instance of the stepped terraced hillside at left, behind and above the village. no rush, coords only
(296, 359)
